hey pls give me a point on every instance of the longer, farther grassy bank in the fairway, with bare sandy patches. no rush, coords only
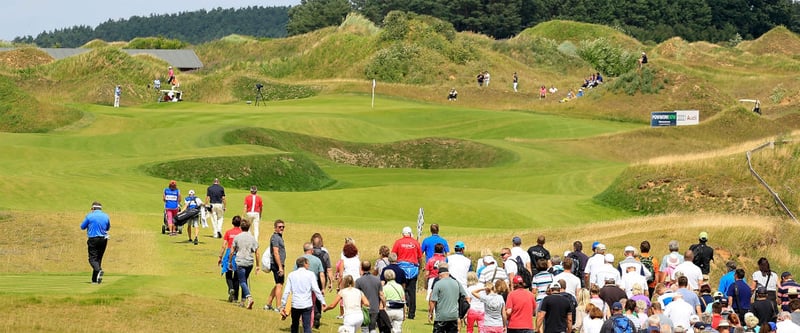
(427, 153)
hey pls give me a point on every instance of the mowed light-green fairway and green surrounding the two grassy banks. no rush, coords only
(160, 283)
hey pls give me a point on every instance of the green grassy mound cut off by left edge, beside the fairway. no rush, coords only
(22, 113)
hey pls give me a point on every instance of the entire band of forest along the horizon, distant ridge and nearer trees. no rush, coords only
(646, 20)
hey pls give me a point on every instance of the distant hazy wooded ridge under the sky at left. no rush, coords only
(193, 27)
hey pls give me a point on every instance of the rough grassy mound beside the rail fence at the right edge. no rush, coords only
(713, 185)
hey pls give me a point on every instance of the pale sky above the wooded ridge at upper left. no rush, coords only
(31, 17)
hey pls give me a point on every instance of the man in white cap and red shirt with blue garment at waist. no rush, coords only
(409, 256)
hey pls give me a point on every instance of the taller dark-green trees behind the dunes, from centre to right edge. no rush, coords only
(645, 20)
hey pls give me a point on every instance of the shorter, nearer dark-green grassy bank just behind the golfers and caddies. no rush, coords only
(281, 172)
